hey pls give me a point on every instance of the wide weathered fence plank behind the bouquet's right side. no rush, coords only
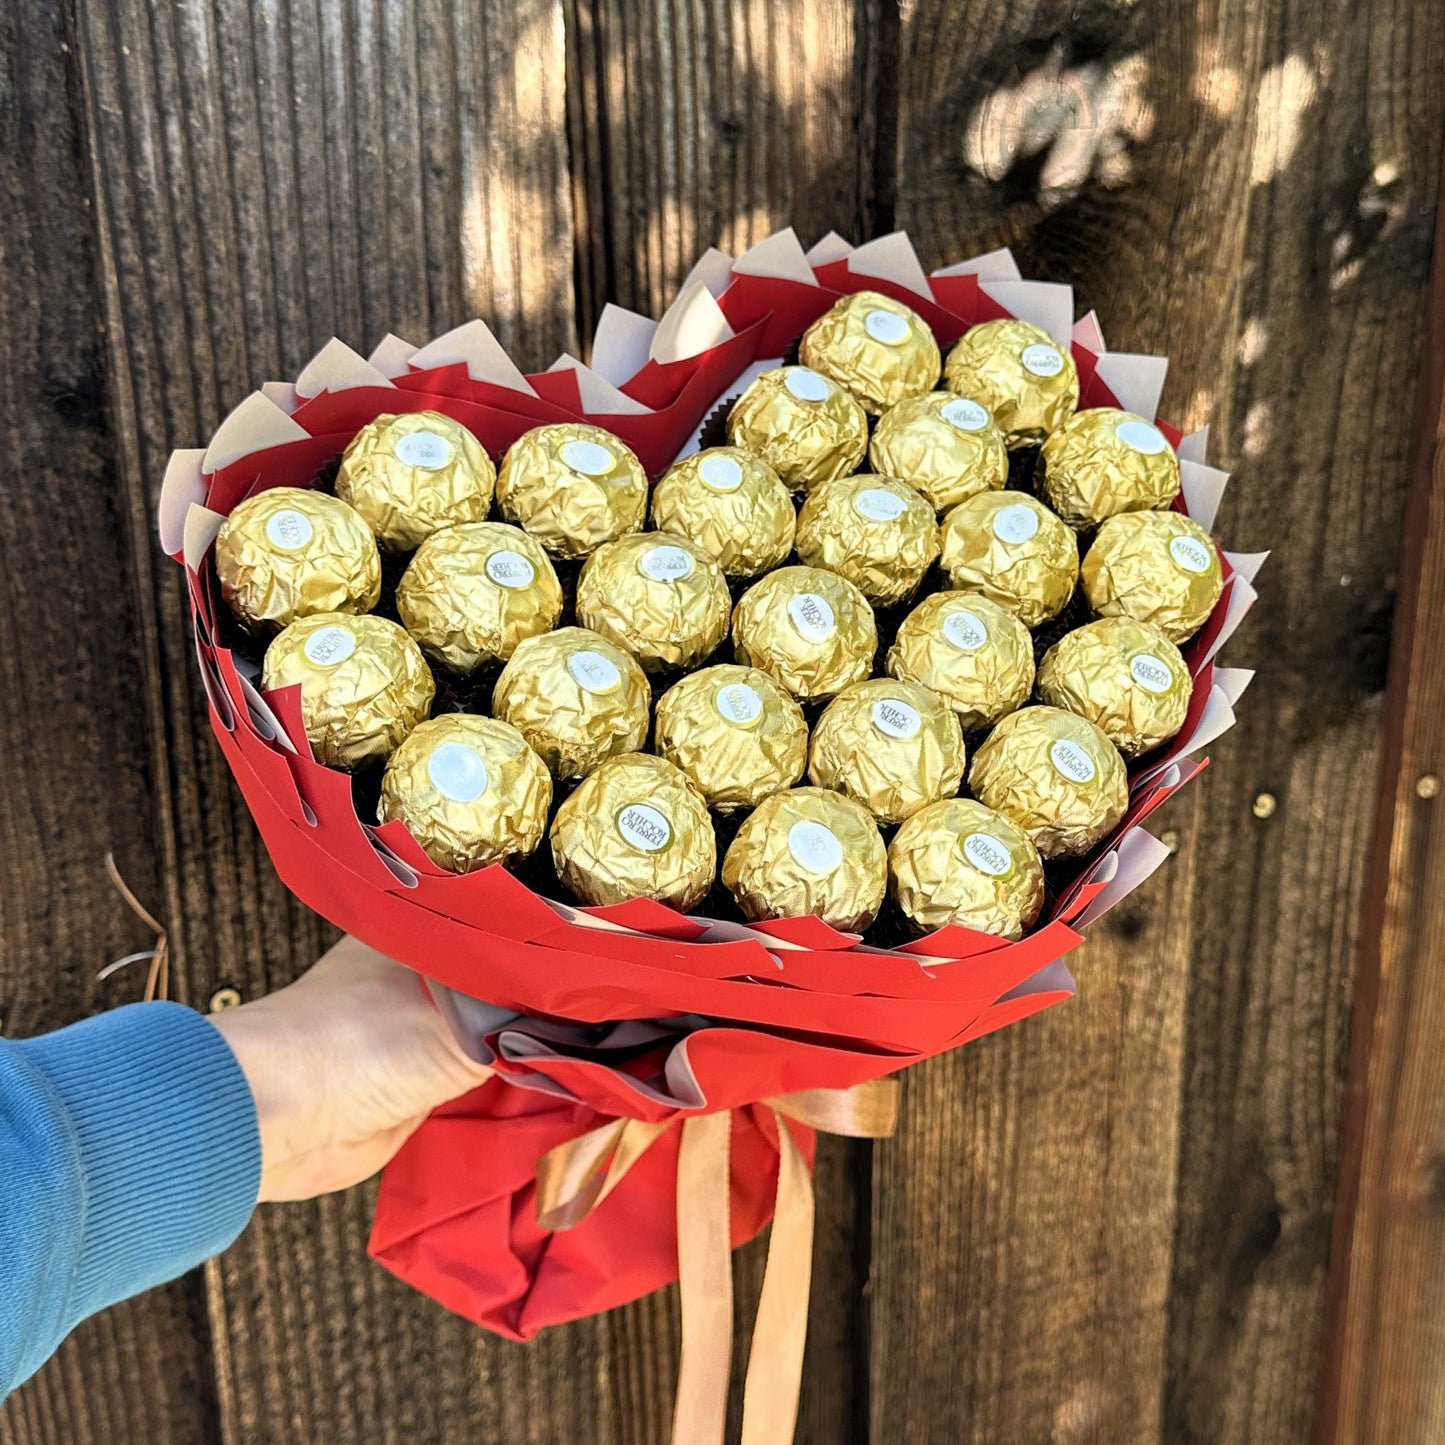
(1122, 1210)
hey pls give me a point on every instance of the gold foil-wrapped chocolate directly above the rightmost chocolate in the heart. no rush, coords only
(1105, 462)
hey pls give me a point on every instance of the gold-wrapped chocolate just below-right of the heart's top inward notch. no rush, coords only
(732, 505)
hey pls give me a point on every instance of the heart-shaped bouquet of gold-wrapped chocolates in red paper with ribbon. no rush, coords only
(719, 729)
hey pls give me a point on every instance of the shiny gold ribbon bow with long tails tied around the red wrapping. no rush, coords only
(576, 1177)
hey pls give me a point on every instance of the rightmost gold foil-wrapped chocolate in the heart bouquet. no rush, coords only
(1157, 567)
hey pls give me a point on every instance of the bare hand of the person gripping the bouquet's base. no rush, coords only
(345, 1064)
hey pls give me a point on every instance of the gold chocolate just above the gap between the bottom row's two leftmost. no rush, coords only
(576, 699)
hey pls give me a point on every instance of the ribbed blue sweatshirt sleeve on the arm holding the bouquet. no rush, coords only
(129, 1152)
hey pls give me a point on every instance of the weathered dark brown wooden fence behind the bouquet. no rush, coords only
(1110, 1223)
